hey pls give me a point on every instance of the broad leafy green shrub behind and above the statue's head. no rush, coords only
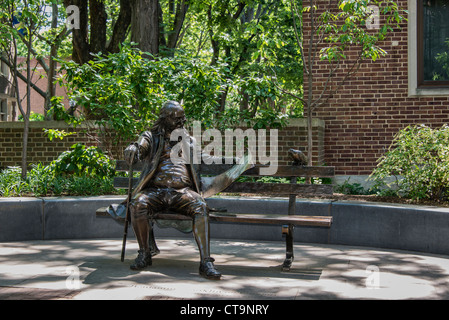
(123, 91)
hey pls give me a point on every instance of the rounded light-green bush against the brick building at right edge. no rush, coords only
(419, 160)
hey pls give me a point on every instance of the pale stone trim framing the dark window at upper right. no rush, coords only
(413, 90)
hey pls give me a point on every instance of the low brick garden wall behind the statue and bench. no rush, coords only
(41, 149)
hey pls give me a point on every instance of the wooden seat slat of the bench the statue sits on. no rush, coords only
(299, 220)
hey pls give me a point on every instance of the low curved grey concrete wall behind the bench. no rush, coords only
(407, 227)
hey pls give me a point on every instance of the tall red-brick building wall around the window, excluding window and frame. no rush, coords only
(363, 117)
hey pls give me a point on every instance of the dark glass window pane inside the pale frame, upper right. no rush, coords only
(433, 43)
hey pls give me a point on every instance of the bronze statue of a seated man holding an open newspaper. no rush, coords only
(170, 185)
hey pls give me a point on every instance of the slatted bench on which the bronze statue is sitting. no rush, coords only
(292, 190)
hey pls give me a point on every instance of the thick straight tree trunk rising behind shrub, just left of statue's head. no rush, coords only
(145, 25)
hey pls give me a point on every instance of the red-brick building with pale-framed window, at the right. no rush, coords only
(389, 94)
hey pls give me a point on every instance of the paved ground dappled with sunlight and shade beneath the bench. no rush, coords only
(91, 270)
